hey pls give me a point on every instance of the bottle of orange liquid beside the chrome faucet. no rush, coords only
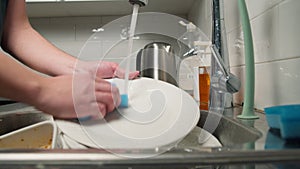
(204, 84)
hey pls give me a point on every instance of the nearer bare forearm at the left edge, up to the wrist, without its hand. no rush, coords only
(17, 82)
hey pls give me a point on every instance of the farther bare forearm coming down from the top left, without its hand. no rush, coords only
(28, 46)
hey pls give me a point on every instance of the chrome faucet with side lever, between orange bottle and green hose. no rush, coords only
(223, 83)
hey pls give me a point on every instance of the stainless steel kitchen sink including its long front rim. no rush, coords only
(239, 146)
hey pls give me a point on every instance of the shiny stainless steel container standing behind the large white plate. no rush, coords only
(157, 60)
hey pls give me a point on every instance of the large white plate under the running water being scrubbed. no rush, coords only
(159, 114)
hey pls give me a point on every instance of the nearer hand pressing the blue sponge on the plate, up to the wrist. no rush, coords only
(79, 96)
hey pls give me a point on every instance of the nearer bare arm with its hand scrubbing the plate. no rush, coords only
(54, 95)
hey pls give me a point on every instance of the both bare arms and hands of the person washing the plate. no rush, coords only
(53, 95)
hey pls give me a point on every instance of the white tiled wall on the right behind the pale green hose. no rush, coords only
(275, 29)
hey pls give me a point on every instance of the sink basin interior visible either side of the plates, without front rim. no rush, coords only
(230, 133)
